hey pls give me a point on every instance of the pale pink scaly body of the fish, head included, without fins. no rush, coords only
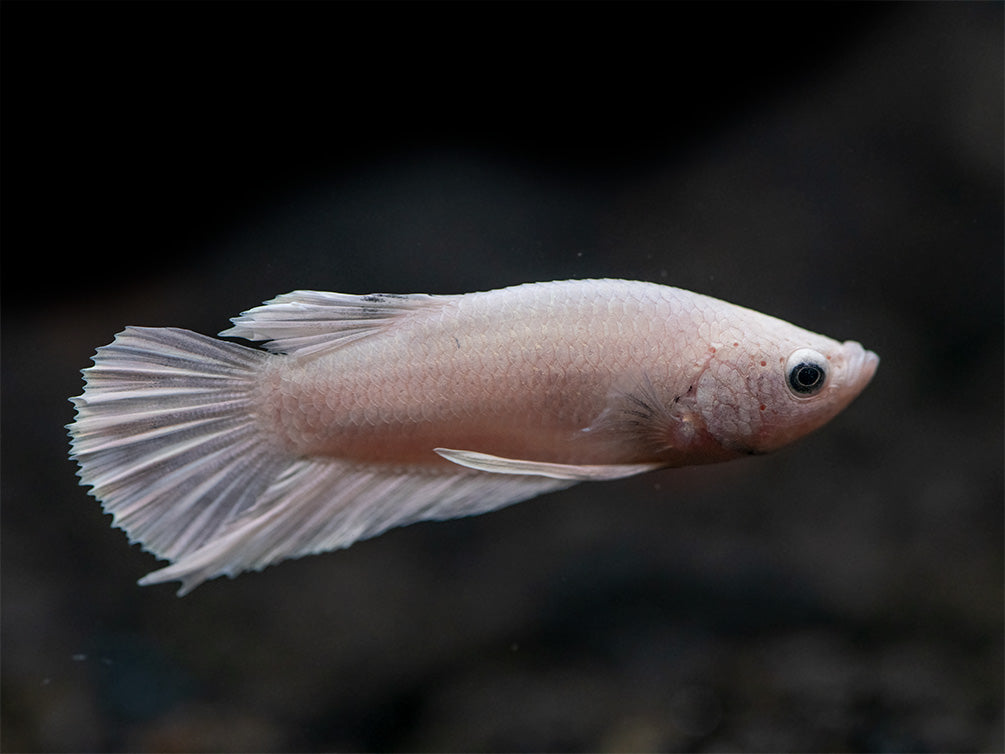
(554, 373)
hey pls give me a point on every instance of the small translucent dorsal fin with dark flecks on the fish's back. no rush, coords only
(312, 322)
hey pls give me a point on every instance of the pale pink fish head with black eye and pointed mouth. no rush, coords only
(758, 394)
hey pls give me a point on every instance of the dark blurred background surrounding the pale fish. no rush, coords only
(840, 166)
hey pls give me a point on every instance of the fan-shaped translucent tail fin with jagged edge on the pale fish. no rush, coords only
(166, 436)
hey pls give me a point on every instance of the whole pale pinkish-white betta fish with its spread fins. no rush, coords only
(374, 412)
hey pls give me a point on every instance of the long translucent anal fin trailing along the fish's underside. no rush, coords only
(318, 506)
